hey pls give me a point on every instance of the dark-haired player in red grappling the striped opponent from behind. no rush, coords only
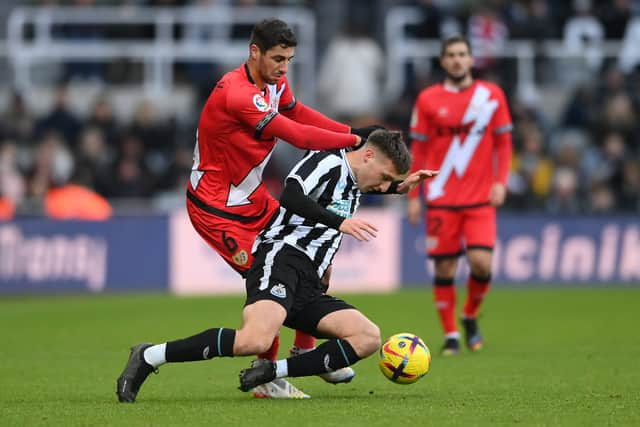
(248, 109)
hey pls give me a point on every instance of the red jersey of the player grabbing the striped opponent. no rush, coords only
(230, 153)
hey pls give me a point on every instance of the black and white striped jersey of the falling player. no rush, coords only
(327, 178)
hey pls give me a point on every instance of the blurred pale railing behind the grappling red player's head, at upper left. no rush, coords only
(158, 53)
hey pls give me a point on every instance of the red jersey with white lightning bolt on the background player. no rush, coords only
(454, 131)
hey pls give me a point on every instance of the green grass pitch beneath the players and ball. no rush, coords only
(551, 357)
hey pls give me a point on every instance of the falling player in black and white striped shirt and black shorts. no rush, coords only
(292, 253)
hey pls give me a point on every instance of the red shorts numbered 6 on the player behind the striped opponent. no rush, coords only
(232, 239)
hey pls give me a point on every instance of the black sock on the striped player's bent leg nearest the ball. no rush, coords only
(328, 356)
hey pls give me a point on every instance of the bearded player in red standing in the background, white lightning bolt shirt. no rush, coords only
(463, 128)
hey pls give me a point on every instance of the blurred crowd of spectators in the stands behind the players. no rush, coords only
(584, 158)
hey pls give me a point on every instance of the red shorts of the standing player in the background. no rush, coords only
(449, 231)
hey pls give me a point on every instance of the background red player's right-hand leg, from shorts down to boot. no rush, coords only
(480, 233)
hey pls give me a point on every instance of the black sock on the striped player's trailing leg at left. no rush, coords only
(215, 342)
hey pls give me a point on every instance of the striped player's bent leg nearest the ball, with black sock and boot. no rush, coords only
(353, 337)
